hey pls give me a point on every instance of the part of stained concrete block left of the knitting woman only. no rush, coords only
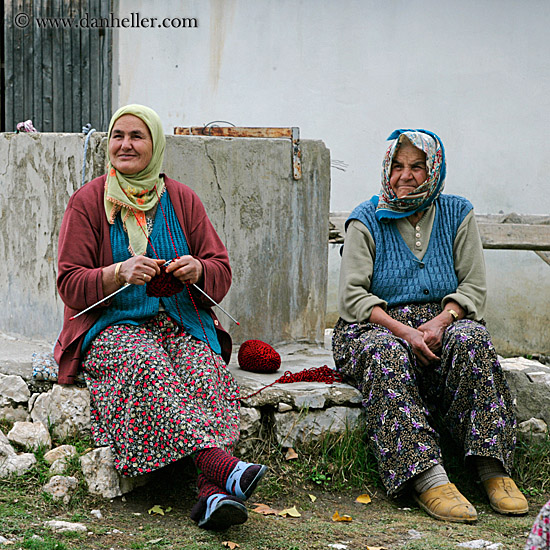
(41, 172)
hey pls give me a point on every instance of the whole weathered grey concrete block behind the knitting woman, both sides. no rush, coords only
(274, 227)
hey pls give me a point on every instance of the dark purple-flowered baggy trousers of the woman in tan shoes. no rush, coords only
(466, 390)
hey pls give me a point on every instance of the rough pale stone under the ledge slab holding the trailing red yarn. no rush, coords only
(295, 427)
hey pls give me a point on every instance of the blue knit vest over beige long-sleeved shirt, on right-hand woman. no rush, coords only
(398, 276)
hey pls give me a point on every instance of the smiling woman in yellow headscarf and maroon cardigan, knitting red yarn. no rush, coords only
(154, 361)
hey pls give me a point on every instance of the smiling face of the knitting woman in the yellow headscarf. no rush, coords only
(130, 145)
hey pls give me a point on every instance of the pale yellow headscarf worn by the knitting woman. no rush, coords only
(134, 194)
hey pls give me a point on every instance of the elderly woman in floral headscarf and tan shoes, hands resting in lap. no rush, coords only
(411, 337)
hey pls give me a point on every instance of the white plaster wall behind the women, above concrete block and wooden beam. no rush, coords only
(349, 72)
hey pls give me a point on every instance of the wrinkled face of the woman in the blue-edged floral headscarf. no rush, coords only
(408, 169)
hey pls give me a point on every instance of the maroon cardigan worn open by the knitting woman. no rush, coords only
(85, 248)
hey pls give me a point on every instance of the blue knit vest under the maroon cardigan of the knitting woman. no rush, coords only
(132, 306)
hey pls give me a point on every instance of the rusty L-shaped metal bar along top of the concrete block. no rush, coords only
(292, 133)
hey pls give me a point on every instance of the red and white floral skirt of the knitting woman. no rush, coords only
(158, 394)
